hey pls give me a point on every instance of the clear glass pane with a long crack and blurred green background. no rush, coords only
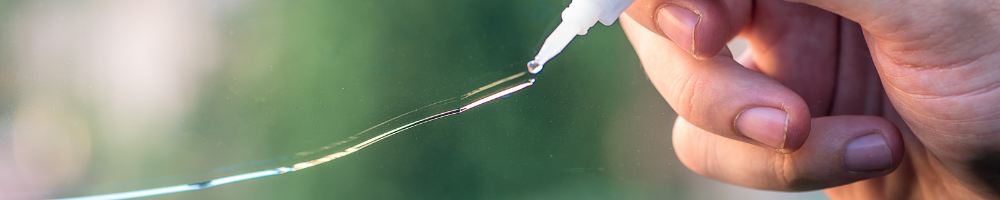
(106, 96)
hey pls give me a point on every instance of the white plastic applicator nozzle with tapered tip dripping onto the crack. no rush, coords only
(577, 18)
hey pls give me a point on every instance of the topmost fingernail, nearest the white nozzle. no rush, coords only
(679, 25)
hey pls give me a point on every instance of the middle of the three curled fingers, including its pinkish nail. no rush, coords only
(721, 96)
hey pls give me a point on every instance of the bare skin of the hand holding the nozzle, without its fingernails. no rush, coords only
(922, 74)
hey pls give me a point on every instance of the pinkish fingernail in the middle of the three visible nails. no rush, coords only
(765, 125)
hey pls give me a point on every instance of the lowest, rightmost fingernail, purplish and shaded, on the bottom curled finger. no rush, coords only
(868, 153)
